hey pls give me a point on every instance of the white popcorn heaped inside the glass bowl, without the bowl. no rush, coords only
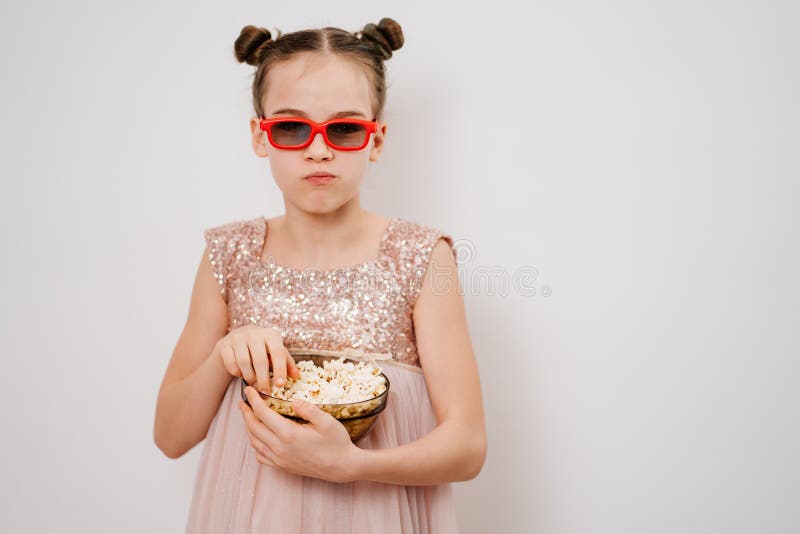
(337, 382)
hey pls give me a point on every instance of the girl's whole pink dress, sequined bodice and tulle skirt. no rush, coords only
(365, 306)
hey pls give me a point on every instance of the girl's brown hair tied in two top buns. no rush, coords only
(370, 48)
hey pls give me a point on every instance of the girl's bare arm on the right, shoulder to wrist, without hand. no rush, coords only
(456, 449)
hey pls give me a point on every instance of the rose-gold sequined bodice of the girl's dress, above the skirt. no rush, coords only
(366, 306)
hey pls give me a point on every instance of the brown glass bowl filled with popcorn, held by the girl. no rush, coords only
(354, 391)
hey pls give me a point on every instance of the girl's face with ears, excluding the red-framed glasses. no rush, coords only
(318, 87)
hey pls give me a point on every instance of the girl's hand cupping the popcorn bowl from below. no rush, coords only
(320, 449)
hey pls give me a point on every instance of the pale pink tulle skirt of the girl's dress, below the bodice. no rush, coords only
(235, 494)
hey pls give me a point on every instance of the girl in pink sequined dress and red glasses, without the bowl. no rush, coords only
(330, 275)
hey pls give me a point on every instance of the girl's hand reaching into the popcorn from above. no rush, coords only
(249, 352)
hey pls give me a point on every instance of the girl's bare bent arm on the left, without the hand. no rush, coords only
(195, 382)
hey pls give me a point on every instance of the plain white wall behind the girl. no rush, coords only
(641, 156)
